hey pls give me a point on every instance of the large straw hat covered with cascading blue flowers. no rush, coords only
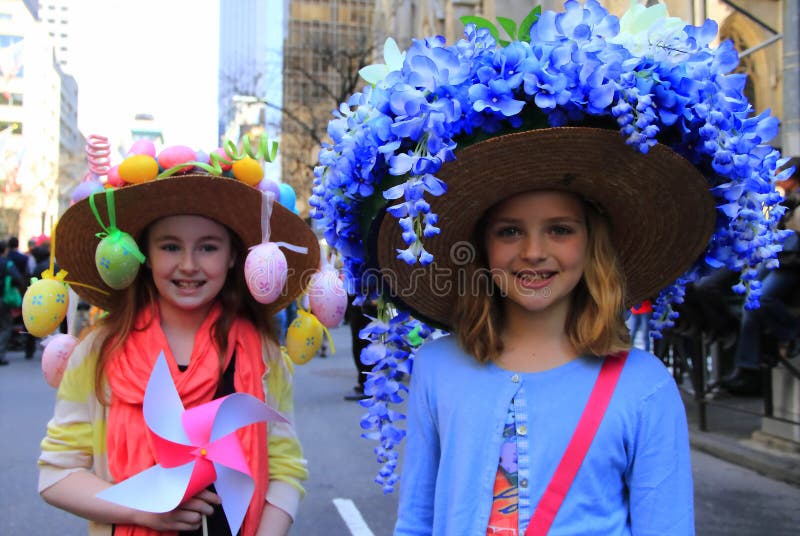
(639, 115)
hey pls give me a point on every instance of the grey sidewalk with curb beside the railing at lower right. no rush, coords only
(736, 436)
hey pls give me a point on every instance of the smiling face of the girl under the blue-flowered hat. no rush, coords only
(536, 245)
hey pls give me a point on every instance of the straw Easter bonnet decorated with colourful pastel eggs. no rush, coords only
(96, 238)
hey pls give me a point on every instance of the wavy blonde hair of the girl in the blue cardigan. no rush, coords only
(595, 323)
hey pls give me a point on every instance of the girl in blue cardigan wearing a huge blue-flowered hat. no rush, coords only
(523, 194)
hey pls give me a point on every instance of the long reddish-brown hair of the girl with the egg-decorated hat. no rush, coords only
(236, 301)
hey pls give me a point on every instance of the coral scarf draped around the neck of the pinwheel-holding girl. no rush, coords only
(130, 448)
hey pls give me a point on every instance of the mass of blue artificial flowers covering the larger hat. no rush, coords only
(655, 76)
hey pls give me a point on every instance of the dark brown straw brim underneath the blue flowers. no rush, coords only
(659, 206)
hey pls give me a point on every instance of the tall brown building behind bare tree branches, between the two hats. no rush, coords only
(327, 42)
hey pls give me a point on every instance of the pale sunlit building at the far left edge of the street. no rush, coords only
(38, 124)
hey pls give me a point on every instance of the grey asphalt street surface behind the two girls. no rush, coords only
(342, 498)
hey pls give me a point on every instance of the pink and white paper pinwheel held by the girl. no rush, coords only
(194, 448)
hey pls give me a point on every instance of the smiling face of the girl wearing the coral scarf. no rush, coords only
(189, 257)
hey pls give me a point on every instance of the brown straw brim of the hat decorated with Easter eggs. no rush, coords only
(227, 201)
